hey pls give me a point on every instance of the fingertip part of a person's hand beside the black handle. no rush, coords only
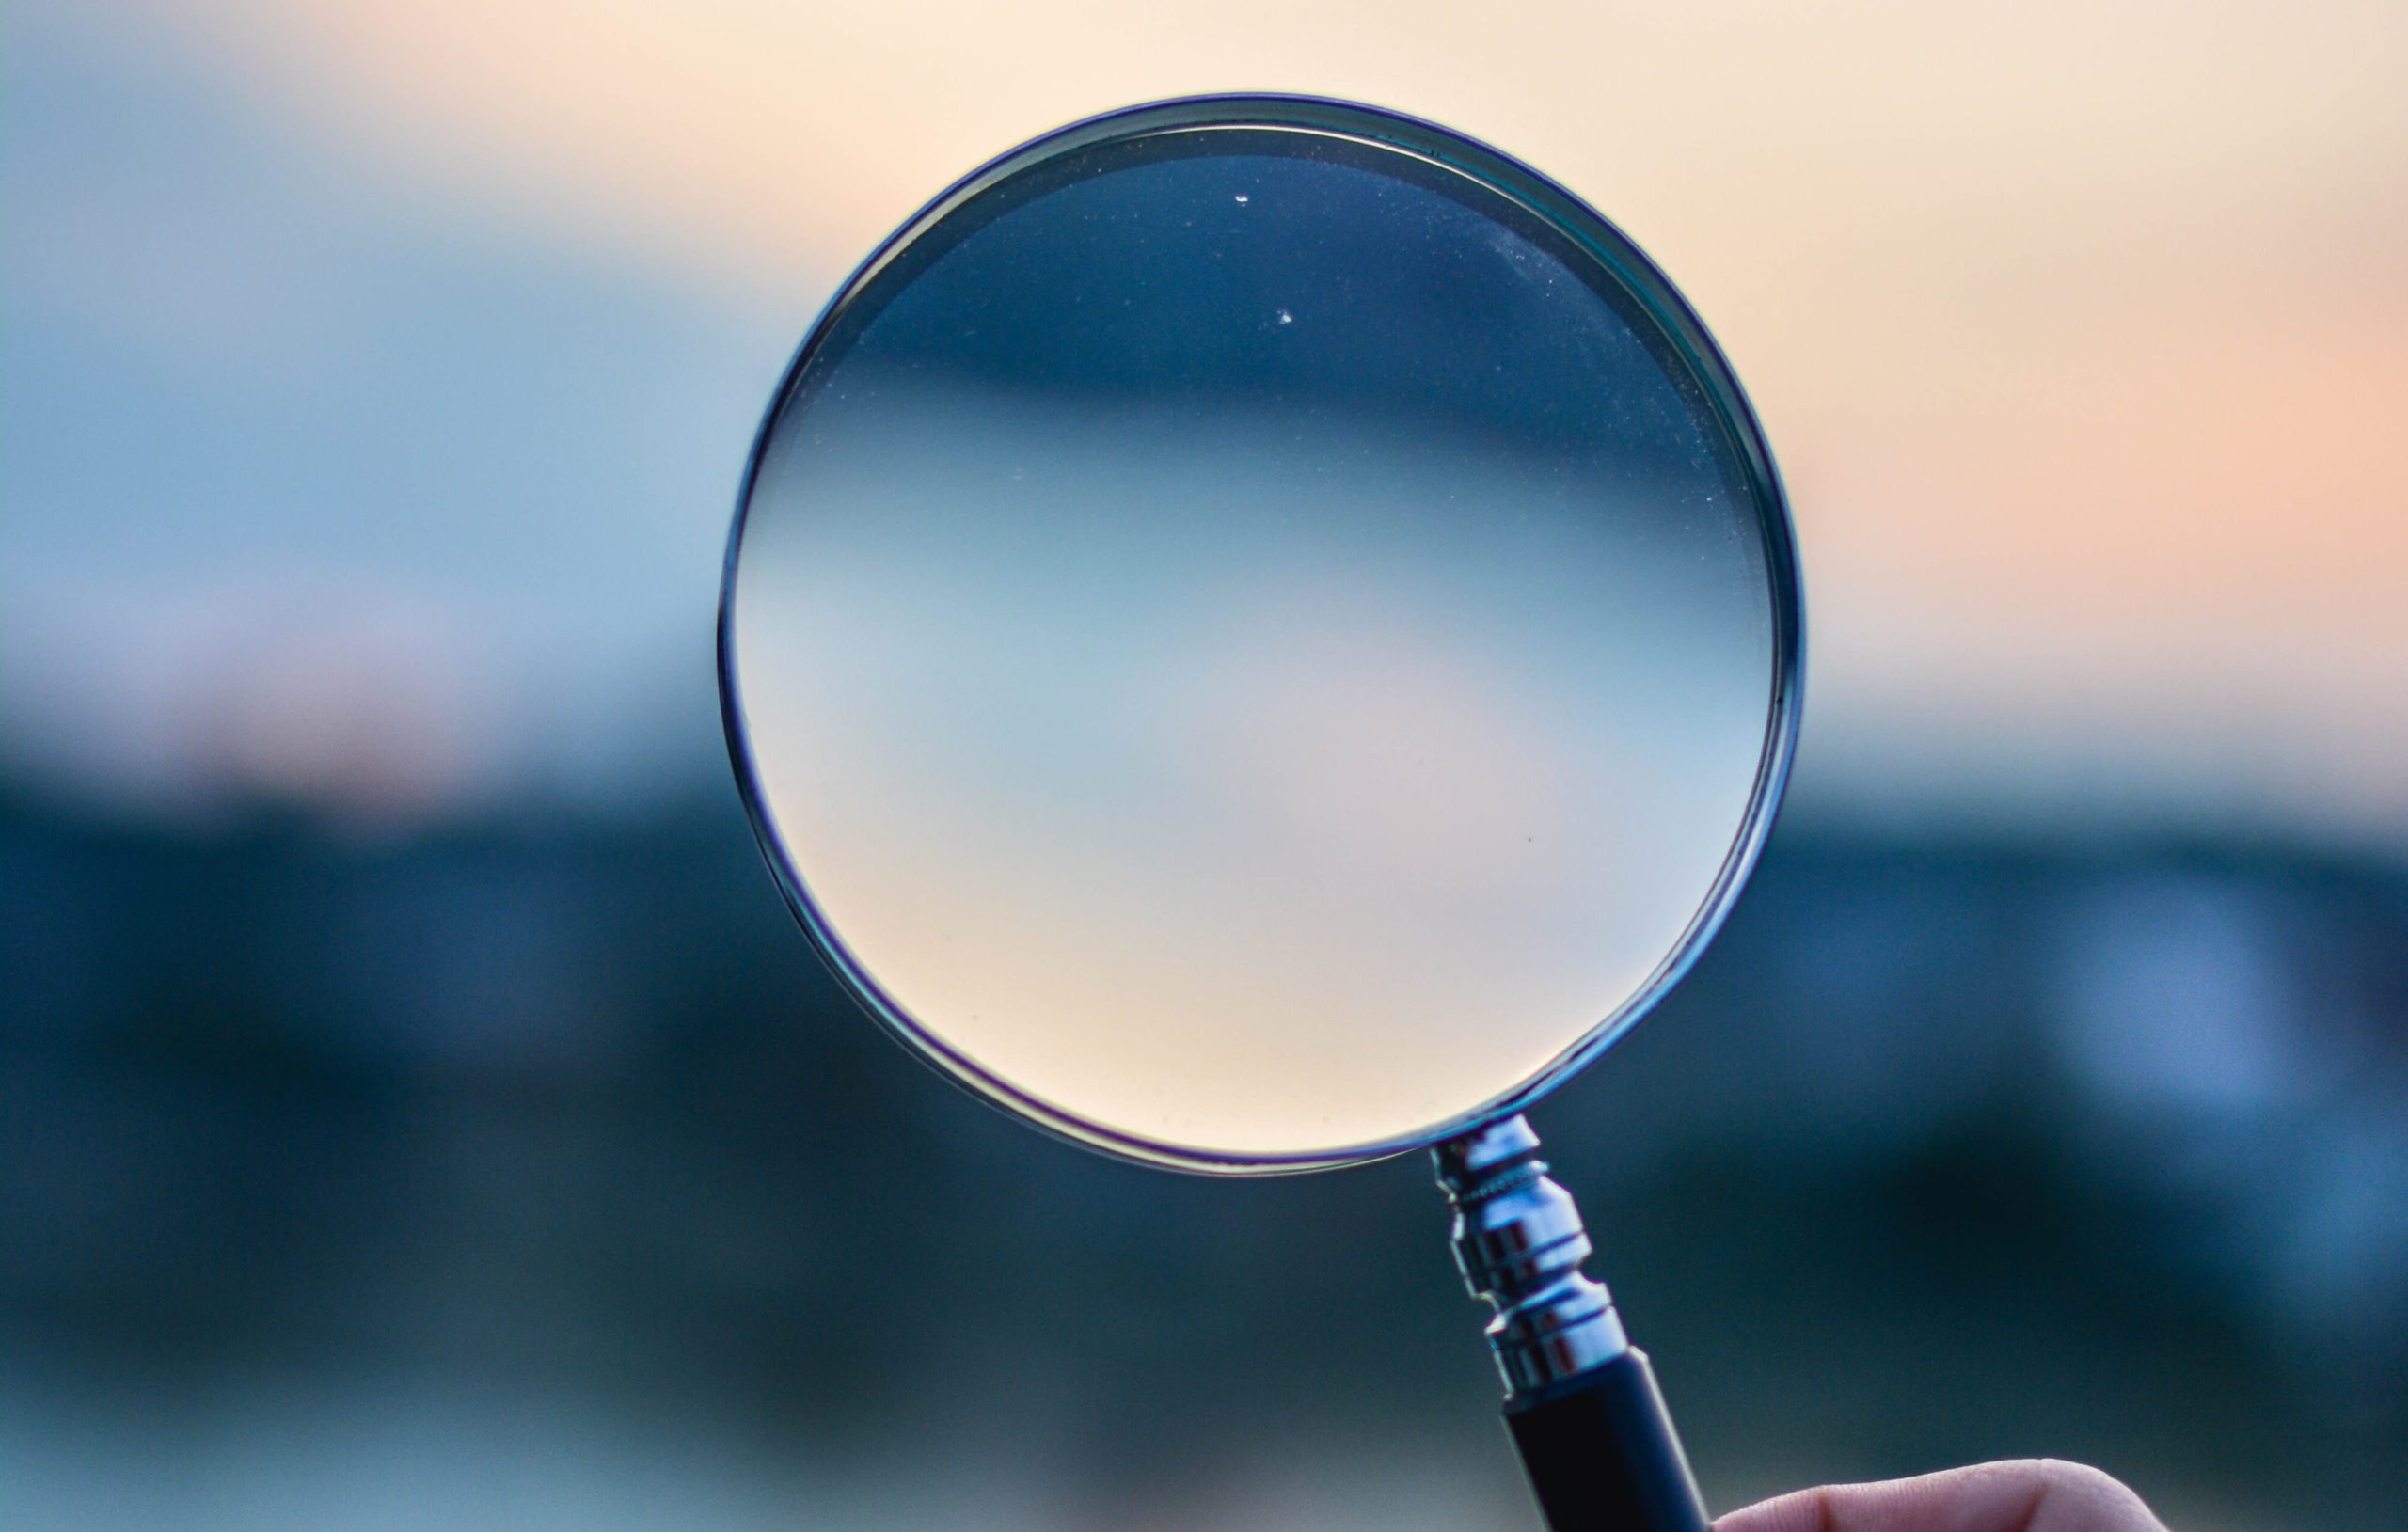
(1990, 1497)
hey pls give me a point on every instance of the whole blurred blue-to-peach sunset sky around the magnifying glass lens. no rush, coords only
(439, 331)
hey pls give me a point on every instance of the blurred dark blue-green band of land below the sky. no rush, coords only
(1954, 1148)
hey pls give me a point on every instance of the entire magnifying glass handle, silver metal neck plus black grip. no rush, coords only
(1581, 1401)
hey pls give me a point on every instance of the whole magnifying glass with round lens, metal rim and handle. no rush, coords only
(1263, 635)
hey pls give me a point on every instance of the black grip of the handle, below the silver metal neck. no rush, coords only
(1603, 1456)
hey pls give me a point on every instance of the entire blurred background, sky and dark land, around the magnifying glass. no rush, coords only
(420, 1112)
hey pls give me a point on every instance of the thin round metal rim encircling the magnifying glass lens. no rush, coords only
(1694, 346)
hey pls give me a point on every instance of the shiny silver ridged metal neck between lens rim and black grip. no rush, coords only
(1518, 1239)
